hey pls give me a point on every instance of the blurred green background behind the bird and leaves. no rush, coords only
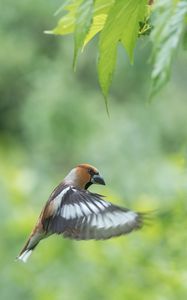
(52, 119)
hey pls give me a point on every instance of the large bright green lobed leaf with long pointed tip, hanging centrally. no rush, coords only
(122, 24)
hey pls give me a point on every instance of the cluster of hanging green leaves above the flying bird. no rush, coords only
(123, 22)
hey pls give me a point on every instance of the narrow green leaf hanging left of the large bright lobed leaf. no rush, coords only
(82, 25)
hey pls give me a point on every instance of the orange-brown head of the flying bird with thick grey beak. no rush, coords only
(83, 176)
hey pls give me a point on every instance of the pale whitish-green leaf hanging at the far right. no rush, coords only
(166, 36)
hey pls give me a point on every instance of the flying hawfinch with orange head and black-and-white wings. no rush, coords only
(76, 213)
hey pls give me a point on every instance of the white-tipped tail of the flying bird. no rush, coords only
(30, 245)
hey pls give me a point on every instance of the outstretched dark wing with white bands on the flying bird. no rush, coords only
(83, 215)
